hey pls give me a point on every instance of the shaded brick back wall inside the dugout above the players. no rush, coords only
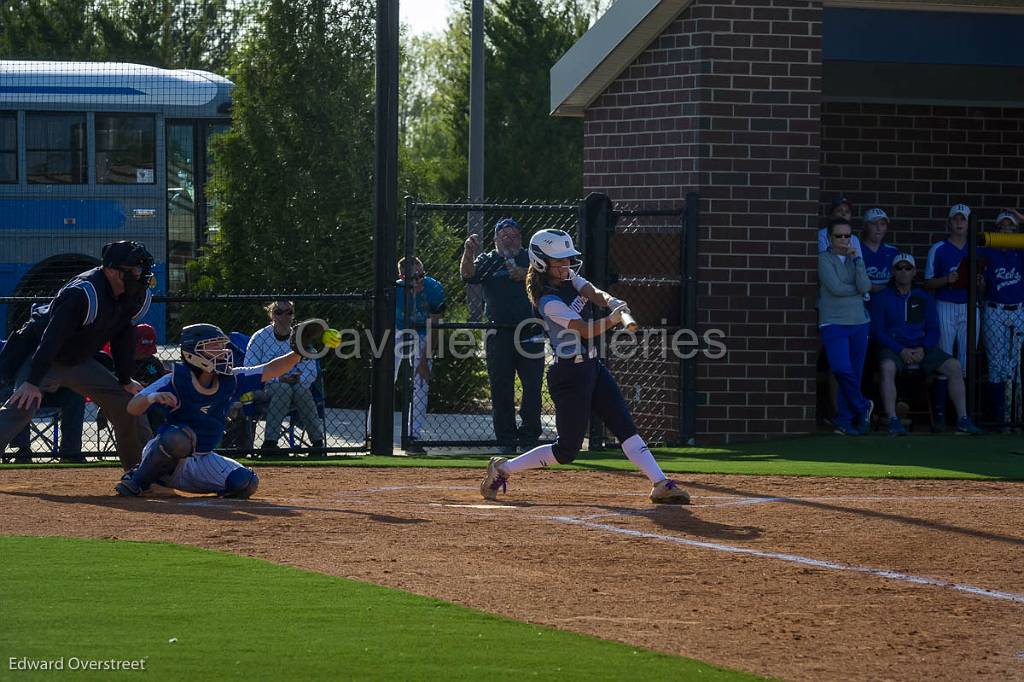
(916, 161)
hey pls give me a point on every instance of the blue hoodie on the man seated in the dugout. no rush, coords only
(901, 322)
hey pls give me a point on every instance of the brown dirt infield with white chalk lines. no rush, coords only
(826, 579)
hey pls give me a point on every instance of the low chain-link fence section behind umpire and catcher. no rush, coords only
(342, 390)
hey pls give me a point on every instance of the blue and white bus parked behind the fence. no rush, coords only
(93, 153)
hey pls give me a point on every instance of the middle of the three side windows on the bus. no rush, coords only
(55, 148)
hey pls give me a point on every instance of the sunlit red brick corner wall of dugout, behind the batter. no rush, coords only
(727, 103)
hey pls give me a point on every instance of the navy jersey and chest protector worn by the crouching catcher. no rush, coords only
(205, 414)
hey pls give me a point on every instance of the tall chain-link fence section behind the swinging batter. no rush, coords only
(646, 255)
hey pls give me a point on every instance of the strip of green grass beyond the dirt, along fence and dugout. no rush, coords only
(990, 457)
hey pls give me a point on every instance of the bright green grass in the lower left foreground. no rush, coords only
(236, 618)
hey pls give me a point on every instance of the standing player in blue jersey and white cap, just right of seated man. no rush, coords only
(943, 276)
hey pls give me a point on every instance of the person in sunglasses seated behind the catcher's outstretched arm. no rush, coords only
(292, 391)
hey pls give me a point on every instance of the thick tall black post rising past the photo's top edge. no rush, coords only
(386, 220)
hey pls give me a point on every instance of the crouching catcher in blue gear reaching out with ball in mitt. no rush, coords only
(198, 394)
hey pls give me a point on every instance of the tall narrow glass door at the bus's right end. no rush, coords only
(182, 231)
